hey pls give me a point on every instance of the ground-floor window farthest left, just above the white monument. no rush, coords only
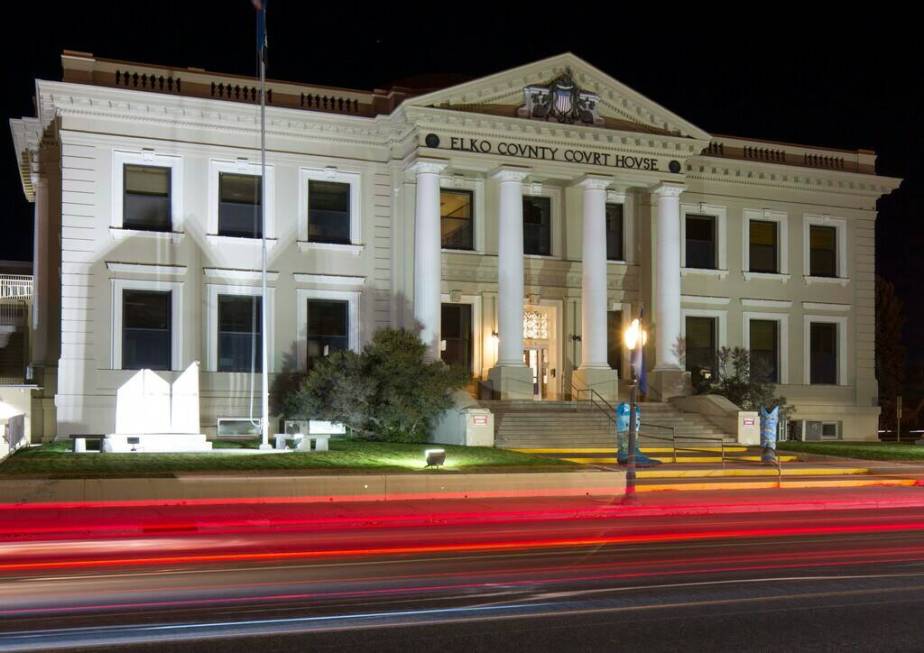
(146, 330)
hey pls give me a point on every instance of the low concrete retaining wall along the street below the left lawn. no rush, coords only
(331, 488)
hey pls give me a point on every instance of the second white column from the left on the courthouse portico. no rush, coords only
(510, 268)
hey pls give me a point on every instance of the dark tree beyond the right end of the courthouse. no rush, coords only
(890, 352)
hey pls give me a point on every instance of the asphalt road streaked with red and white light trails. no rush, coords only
(807, 581)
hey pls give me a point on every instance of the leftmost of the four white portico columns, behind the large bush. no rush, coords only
(427, 245)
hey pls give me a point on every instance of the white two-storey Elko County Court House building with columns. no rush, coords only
(521, 220)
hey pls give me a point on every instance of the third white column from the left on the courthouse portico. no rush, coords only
(593, 275)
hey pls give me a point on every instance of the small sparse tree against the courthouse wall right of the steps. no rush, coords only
(742, 381)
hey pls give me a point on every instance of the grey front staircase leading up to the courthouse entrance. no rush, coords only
(527, 424)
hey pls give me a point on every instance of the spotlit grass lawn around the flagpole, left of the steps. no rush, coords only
(345, 456)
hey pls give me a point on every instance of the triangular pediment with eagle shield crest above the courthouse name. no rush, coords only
(532, 91)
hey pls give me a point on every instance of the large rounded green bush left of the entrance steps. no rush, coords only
(388, 392)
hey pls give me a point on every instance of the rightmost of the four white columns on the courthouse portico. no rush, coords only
(667, 263)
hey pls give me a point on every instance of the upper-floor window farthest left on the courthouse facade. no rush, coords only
(146, 198)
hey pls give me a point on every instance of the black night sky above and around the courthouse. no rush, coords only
(780, 77)
